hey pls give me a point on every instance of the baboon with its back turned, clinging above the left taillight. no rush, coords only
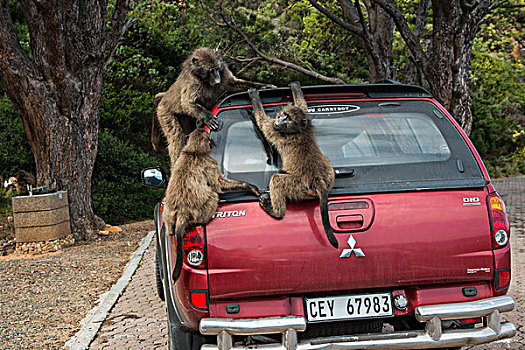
(193, 190)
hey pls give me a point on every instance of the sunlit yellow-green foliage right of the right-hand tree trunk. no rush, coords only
(496, 72)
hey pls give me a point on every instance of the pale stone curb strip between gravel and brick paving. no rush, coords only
(94, 318)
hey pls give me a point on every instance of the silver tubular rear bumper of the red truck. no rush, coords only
(432, 337)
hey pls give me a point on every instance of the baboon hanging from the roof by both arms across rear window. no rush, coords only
(307, 173)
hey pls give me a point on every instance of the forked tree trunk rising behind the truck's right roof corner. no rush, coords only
(446, 65)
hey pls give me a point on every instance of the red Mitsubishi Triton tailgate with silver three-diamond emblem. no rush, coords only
(409, 238)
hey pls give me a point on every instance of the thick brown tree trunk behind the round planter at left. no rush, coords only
(59, 88)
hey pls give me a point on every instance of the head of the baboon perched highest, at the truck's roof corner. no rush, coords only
(207, 64)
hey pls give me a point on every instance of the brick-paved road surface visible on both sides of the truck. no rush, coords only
(138, 320)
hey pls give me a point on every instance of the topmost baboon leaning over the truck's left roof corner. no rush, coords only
(204, 77)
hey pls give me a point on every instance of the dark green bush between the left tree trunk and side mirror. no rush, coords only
(117, 193)
